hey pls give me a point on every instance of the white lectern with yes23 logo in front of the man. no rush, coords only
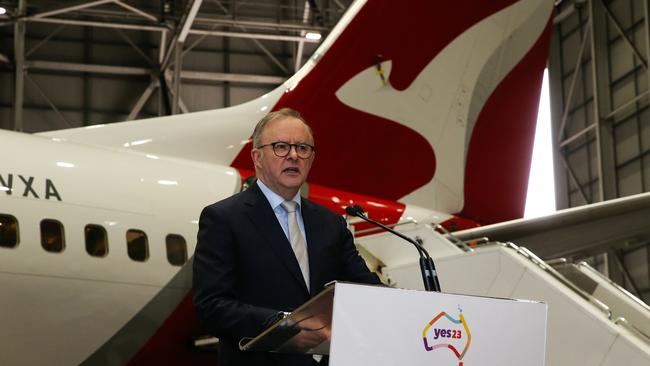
(374, 325)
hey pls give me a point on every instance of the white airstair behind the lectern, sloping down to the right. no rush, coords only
(603, 326)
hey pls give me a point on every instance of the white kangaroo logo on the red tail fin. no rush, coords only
(473, 64)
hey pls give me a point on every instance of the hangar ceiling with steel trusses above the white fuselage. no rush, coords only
(74, 63)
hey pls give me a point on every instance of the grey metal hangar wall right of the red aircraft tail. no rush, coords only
(598, 68)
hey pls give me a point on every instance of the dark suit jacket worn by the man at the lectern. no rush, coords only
(245, 270)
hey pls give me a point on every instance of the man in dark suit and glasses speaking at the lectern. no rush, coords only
(267, 250)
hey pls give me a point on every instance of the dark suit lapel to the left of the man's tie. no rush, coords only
(263, 218)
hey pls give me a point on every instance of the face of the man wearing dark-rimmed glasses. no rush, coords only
(283, 176)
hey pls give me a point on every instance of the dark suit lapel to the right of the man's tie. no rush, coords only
(314, 234)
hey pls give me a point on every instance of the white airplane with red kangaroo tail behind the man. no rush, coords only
(421, 113)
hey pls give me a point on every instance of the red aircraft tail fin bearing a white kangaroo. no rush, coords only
(431, 104)
